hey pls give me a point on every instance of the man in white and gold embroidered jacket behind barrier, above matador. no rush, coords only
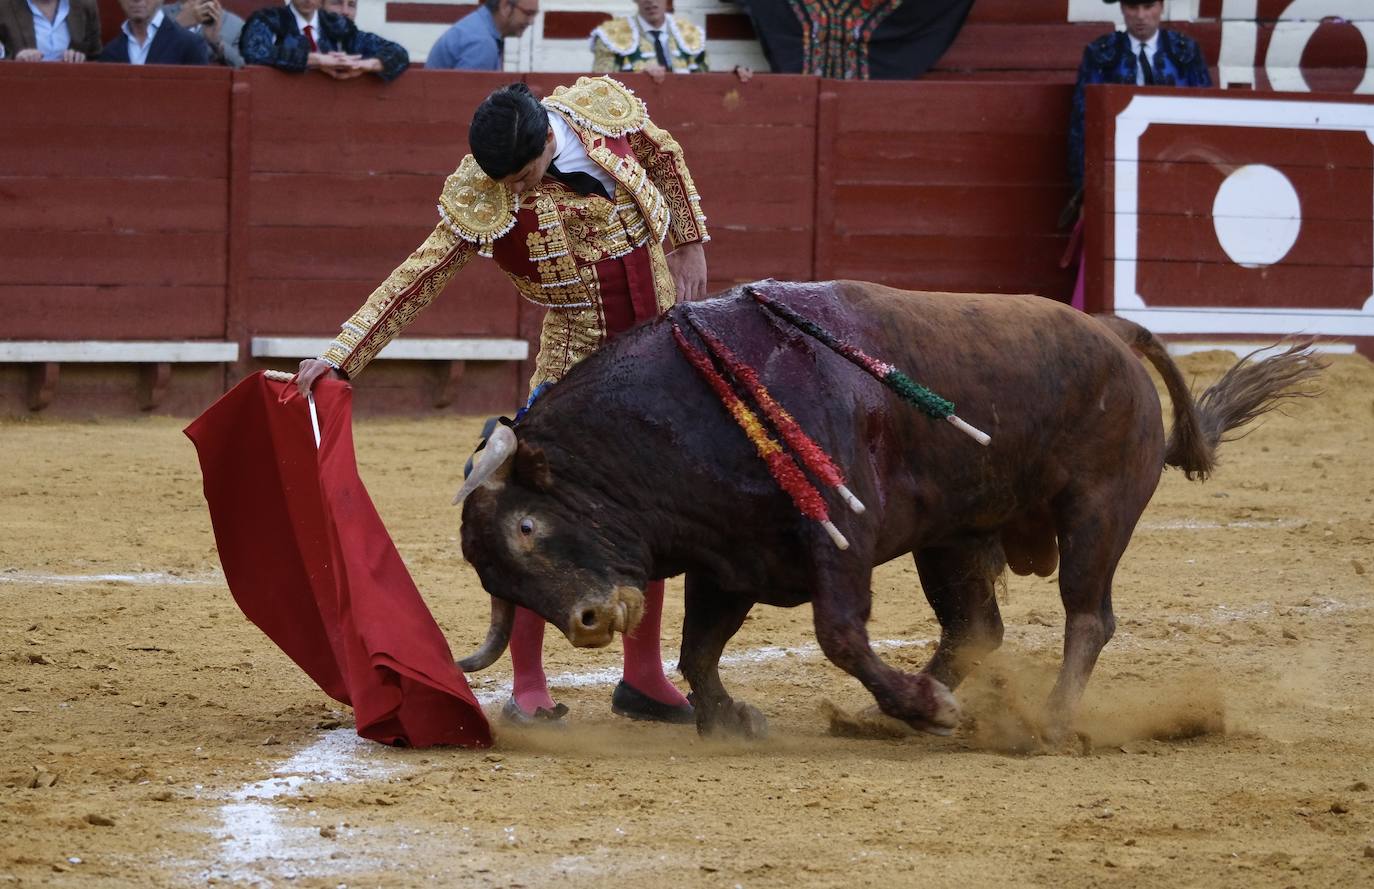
(653, 42)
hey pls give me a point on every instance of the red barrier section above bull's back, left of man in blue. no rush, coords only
(946, 186)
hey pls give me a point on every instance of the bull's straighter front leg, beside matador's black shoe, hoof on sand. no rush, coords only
(711, 619)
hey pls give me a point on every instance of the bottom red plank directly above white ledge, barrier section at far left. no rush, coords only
(111, 313)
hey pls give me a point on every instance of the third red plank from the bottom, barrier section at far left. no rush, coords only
(79, 204)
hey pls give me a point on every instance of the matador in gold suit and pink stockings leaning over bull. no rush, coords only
(571, 199)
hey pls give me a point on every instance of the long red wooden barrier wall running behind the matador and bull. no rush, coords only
(200, 204)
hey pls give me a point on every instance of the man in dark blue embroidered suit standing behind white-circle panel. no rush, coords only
(1171, 60)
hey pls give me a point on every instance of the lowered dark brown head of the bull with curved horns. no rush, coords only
(542, 546)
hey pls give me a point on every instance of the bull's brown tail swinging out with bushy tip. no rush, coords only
(1248, 391)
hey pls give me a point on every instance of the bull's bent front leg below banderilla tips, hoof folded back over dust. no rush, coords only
(842, 607)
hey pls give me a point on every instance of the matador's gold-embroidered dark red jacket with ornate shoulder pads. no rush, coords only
(550, 240)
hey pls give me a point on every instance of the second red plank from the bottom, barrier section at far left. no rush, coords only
(115, 258)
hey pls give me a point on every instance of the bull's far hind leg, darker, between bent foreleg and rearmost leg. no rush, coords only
(958, 583)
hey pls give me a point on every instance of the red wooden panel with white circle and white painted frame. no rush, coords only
(1235, 214)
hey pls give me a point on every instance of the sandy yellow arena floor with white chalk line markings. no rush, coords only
(155, 739)
